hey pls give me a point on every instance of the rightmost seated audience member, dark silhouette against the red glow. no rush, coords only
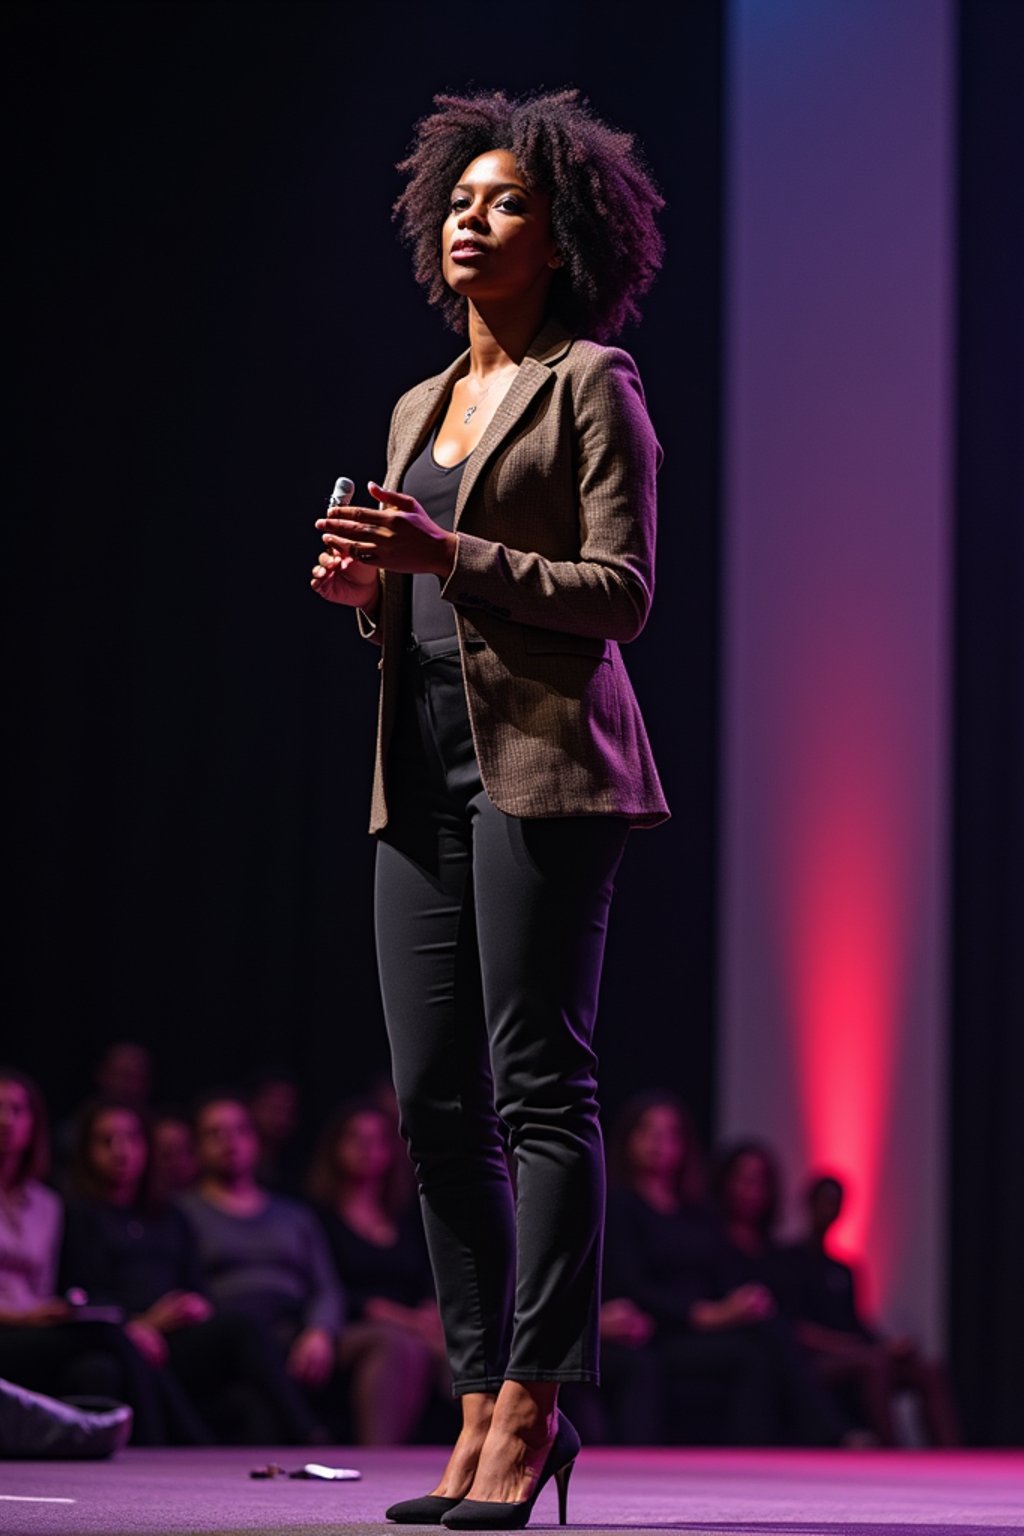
(844, 1348)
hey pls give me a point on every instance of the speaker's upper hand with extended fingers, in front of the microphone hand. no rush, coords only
(397, 537)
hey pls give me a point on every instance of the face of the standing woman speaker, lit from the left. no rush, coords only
(497, 243)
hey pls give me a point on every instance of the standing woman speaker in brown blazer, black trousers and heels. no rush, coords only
(510, 555)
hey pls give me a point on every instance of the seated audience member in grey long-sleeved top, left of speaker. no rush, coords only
(262, 1254)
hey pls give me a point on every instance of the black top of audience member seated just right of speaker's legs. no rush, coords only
(662, 1262)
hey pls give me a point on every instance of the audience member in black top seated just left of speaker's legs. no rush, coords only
(392, 1345)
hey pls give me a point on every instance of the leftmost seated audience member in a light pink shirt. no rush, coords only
(47, 1345)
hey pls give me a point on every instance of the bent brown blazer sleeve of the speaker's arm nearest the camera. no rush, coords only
(607, 592)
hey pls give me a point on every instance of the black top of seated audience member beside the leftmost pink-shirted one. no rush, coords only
(128, 1257)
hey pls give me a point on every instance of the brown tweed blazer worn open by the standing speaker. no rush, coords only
(555, 569)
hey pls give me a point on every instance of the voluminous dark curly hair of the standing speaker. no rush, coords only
(604, 202)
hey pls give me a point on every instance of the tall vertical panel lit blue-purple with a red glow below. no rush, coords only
(837, 419)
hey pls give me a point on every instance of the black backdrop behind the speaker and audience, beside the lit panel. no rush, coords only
(210, 320)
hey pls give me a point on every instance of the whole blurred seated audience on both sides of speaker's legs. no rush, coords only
(223, 1311)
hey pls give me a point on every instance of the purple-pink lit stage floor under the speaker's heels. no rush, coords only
(748, 1494)
